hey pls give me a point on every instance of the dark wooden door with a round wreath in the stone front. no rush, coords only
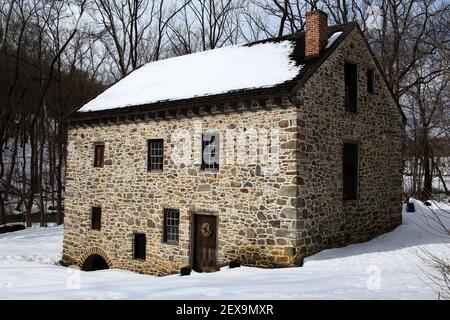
(205, 243)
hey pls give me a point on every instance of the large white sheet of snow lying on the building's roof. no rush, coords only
(201, 74)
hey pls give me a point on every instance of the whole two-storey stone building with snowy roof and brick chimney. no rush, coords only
(322, 112)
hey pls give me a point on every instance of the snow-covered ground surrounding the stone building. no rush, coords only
(386, 267)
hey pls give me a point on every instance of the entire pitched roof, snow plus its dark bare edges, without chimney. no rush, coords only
(261, 68)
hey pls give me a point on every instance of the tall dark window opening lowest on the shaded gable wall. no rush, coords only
(350, 171)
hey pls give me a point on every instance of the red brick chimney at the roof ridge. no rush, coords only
(316, 33)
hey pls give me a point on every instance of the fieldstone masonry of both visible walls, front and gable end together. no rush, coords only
(263, 220)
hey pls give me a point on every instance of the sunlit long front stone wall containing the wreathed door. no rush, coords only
(256, 214)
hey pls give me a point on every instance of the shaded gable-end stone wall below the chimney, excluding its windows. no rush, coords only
(325, 219)
